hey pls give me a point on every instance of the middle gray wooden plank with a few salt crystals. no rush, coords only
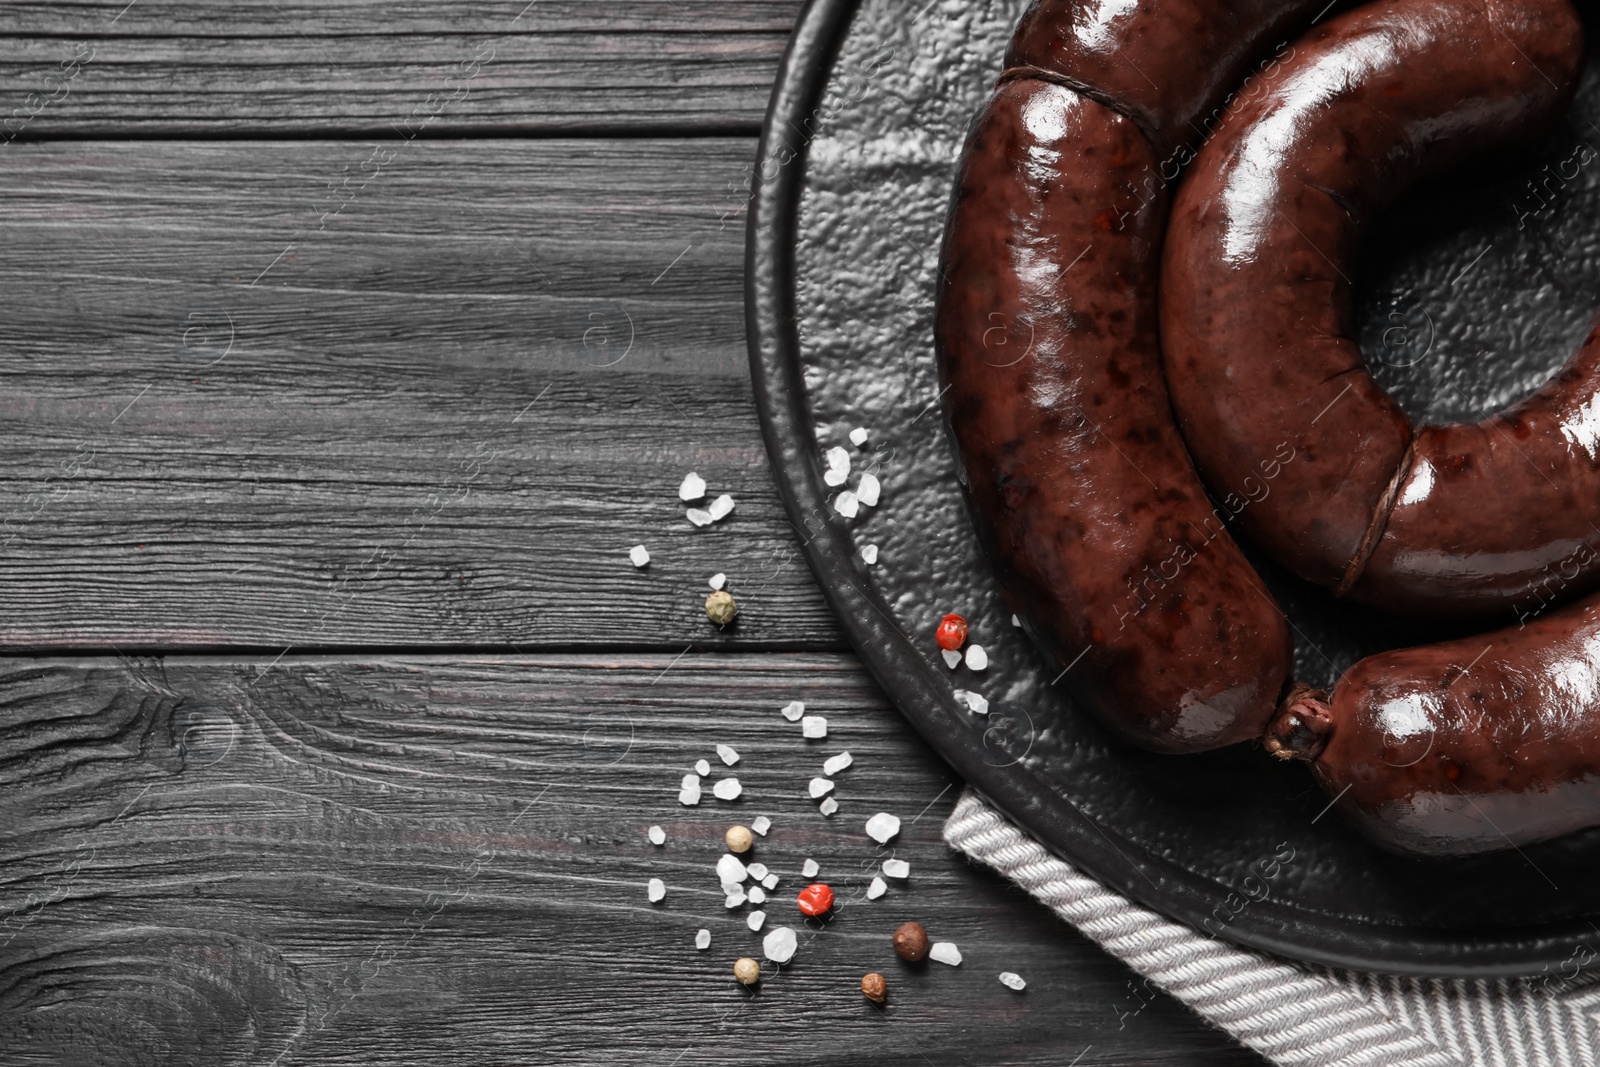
(439, 417)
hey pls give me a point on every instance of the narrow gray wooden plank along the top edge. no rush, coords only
(180, 70)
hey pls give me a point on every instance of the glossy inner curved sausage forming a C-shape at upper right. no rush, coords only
(1257, 308)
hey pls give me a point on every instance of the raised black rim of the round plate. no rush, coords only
(906, 676)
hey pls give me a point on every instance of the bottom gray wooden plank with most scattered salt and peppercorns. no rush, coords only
(444, 861)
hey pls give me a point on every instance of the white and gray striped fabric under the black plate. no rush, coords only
(1294, 1015)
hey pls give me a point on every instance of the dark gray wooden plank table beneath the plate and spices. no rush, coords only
(346, 351)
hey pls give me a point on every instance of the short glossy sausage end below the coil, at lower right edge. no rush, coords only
(1466, 746)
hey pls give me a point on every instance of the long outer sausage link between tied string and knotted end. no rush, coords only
(1082, 494)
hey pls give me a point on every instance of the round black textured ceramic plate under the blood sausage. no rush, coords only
(1474, 292)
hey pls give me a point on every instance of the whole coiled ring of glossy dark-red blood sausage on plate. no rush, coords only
(1081, 482)
